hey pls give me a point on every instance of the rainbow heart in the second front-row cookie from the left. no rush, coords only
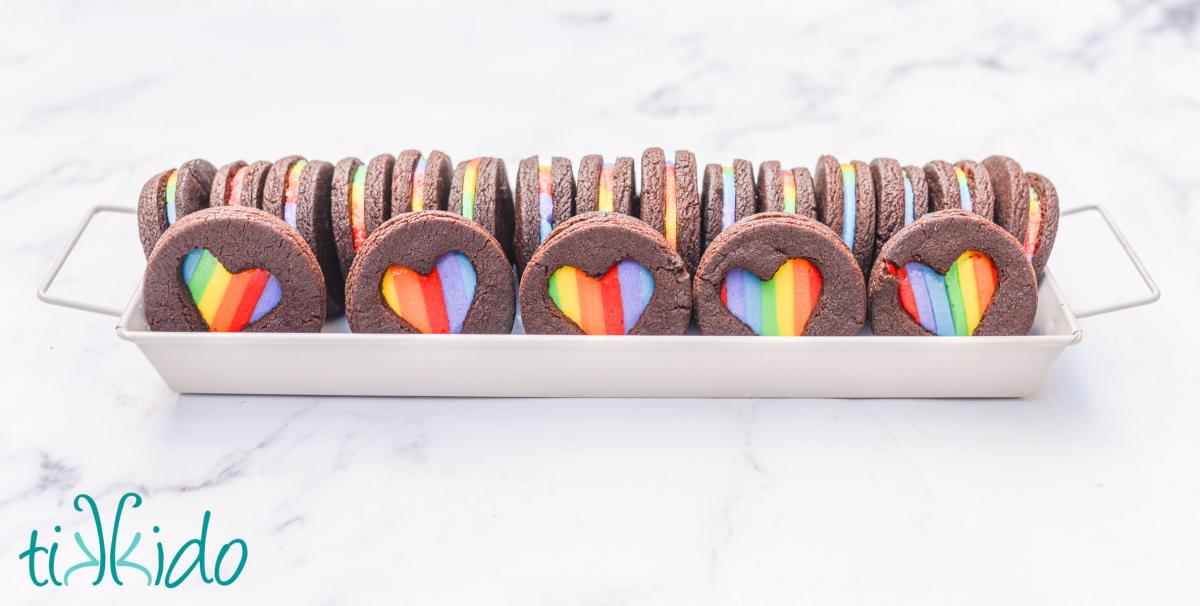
(436, 303)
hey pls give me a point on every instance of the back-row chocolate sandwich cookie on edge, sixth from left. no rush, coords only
(481, 193)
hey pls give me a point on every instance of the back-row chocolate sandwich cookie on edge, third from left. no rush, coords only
(298, 193)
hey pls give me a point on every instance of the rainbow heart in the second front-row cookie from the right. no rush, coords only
(781, 307)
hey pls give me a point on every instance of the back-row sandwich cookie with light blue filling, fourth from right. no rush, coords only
(847, 203)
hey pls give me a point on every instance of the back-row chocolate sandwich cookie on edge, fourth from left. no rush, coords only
(358, 191)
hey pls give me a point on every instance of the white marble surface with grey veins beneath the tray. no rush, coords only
(1087, 494)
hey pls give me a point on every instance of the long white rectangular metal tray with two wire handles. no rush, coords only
(339, 363)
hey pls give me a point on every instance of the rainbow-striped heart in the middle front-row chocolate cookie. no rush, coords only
(611, 305)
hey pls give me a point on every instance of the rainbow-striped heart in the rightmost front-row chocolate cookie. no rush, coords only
(952, 304)
